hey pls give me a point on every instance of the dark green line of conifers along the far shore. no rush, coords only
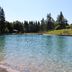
(30, 26)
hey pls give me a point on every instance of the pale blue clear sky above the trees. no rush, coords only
(36, 9)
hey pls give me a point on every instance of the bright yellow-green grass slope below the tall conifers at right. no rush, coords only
(61, 32)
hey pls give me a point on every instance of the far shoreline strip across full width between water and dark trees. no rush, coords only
(59, 33)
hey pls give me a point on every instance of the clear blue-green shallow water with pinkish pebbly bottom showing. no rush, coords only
(37, 53)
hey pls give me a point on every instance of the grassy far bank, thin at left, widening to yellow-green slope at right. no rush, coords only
(67, 32)
